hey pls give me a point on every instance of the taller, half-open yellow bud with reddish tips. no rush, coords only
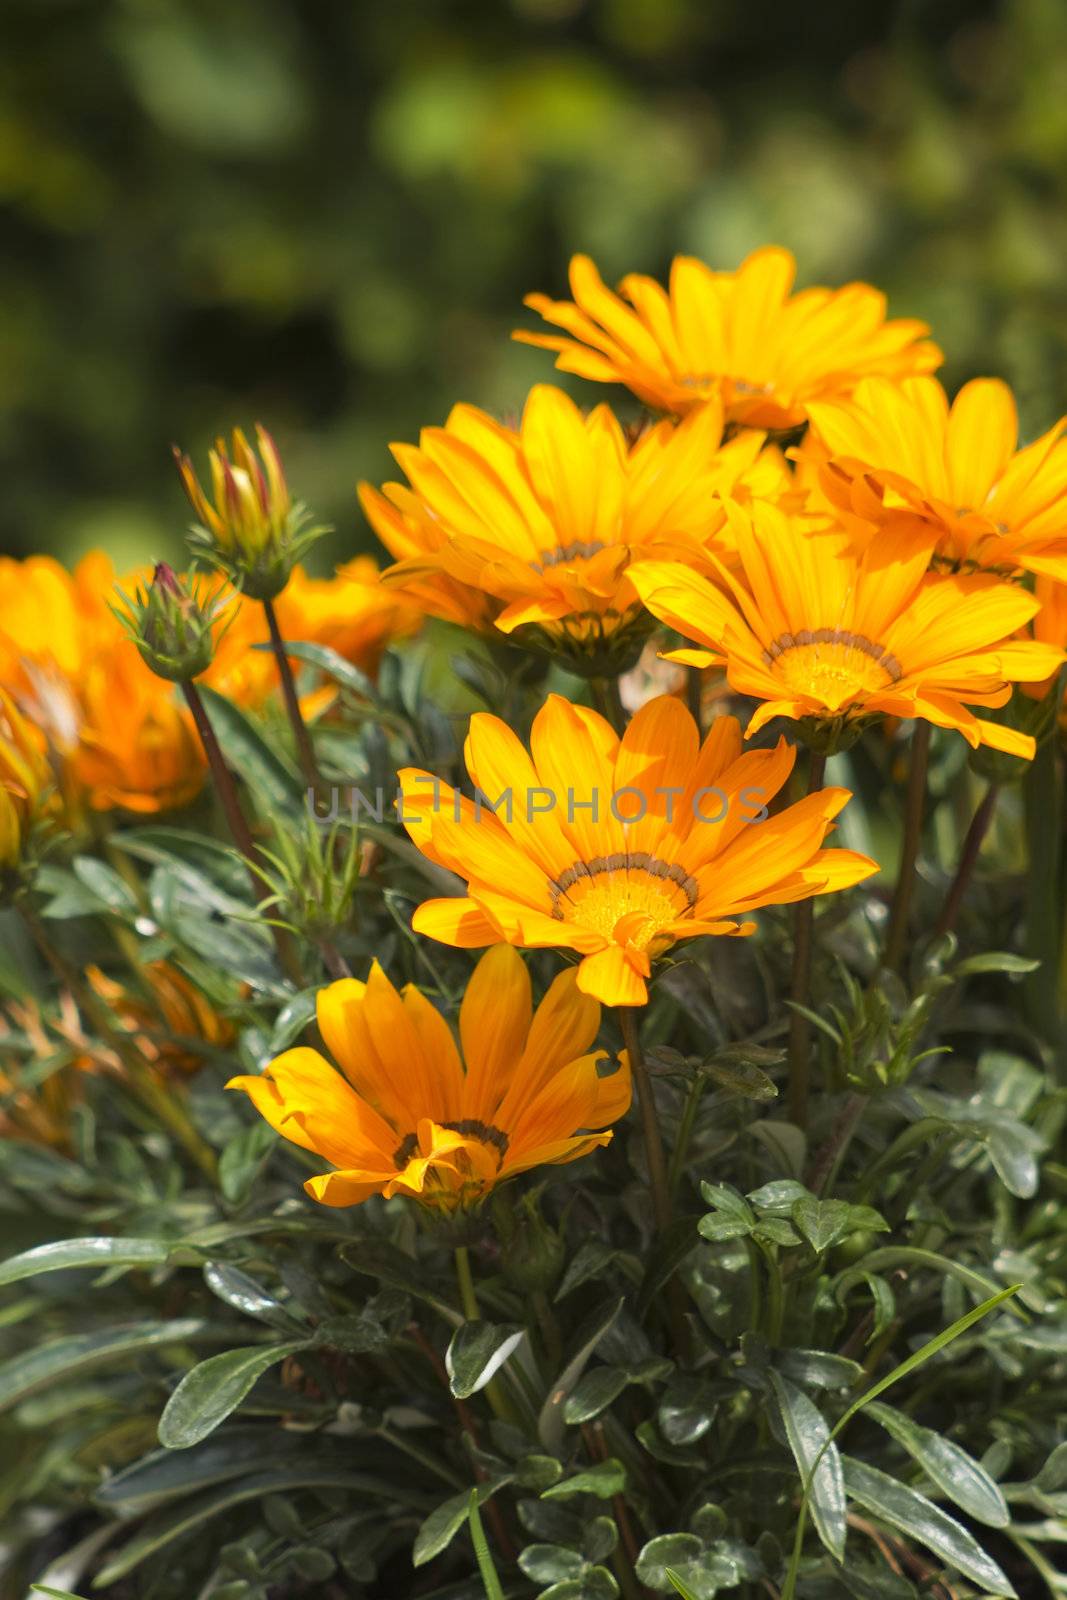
(247, 526)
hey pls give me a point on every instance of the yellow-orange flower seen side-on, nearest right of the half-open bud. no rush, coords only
(533, 527)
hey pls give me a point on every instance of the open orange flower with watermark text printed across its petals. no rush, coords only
(618, 849)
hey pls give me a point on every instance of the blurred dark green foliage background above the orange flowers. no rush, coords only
(324, 214)
